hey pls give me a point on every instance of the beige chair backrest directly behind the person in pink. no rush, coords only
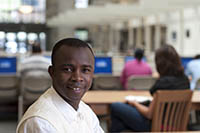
(140, 82)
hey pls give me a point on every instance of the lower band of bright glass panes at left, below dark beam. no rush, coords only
(20, 42)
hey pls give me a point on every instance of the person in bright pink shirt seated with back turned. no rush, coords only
(135, 67)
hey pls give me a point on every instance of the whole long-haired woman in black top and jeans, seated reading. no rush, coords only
(137, 117)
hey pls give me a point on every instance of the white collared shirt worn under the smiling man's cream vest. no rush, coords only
(76, 119)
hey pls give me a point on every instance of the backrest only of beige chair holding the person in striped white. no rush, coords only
(34, 83)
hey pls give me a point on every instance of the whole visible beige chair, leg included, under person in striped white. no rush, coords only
(33, 83)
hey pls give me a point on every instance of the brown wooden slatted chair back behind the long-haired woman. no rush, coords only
(171, 110)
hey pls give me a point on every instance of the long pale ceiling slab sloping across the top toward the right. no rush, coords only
(117, 12)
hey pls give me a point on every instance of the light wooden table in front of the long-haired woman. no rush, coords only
(100, 100)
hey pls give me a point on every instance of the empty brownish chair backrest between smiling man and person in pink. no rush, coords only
(106, 82)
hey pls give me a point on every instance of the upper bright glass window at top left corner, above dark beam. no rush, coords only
(22, 11)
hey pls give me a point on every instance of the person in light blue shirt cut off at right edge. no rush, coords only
(193, 71)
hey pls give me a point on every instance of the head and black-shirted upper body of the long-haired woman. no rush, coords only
(168, 65)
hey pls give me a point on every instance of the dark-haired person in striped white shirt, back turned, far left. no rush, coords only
(35, 61)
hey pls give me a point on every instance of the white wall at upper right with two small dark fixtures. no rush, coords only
(189, 45)
